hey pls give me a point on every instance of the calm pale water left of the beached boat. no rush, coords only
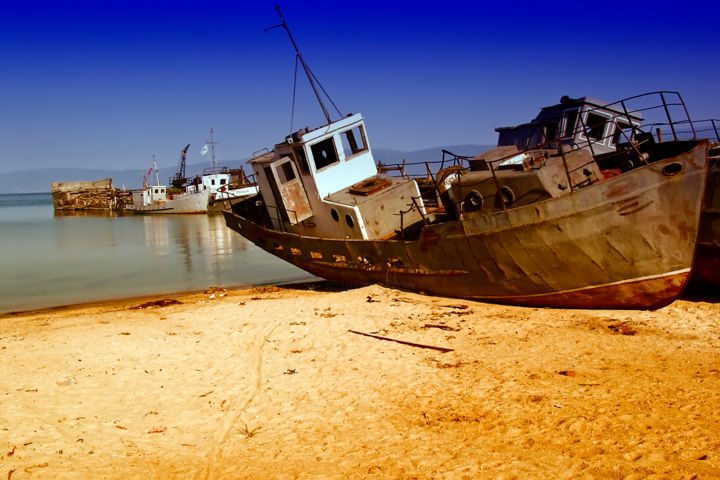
(49, 260)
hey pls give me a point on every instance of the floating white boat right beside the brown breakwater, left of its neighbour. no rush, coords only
(155, 199)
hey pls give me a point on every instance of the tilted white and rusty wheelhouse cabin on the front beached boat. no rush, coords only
(325, 183)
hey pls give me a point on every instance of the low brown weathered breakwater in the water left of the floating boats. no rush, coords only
(89, 195)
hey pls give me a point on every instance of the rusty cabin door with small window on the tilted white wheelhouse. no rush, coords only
(285, 183)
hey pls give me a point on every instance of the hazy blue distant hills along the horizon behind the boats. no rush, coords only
(30, 181)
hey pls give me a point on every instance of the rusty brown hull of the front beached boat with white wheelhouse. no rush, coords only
(625, 242)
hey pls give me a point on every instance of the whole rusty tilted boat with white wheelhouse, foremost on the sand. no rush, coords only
(551, 225)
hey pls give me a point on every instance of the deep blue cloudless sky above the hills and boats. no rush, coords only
(109, 84)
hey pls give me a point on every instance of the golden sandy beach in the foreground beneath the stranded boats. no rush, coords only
(271, 383)
